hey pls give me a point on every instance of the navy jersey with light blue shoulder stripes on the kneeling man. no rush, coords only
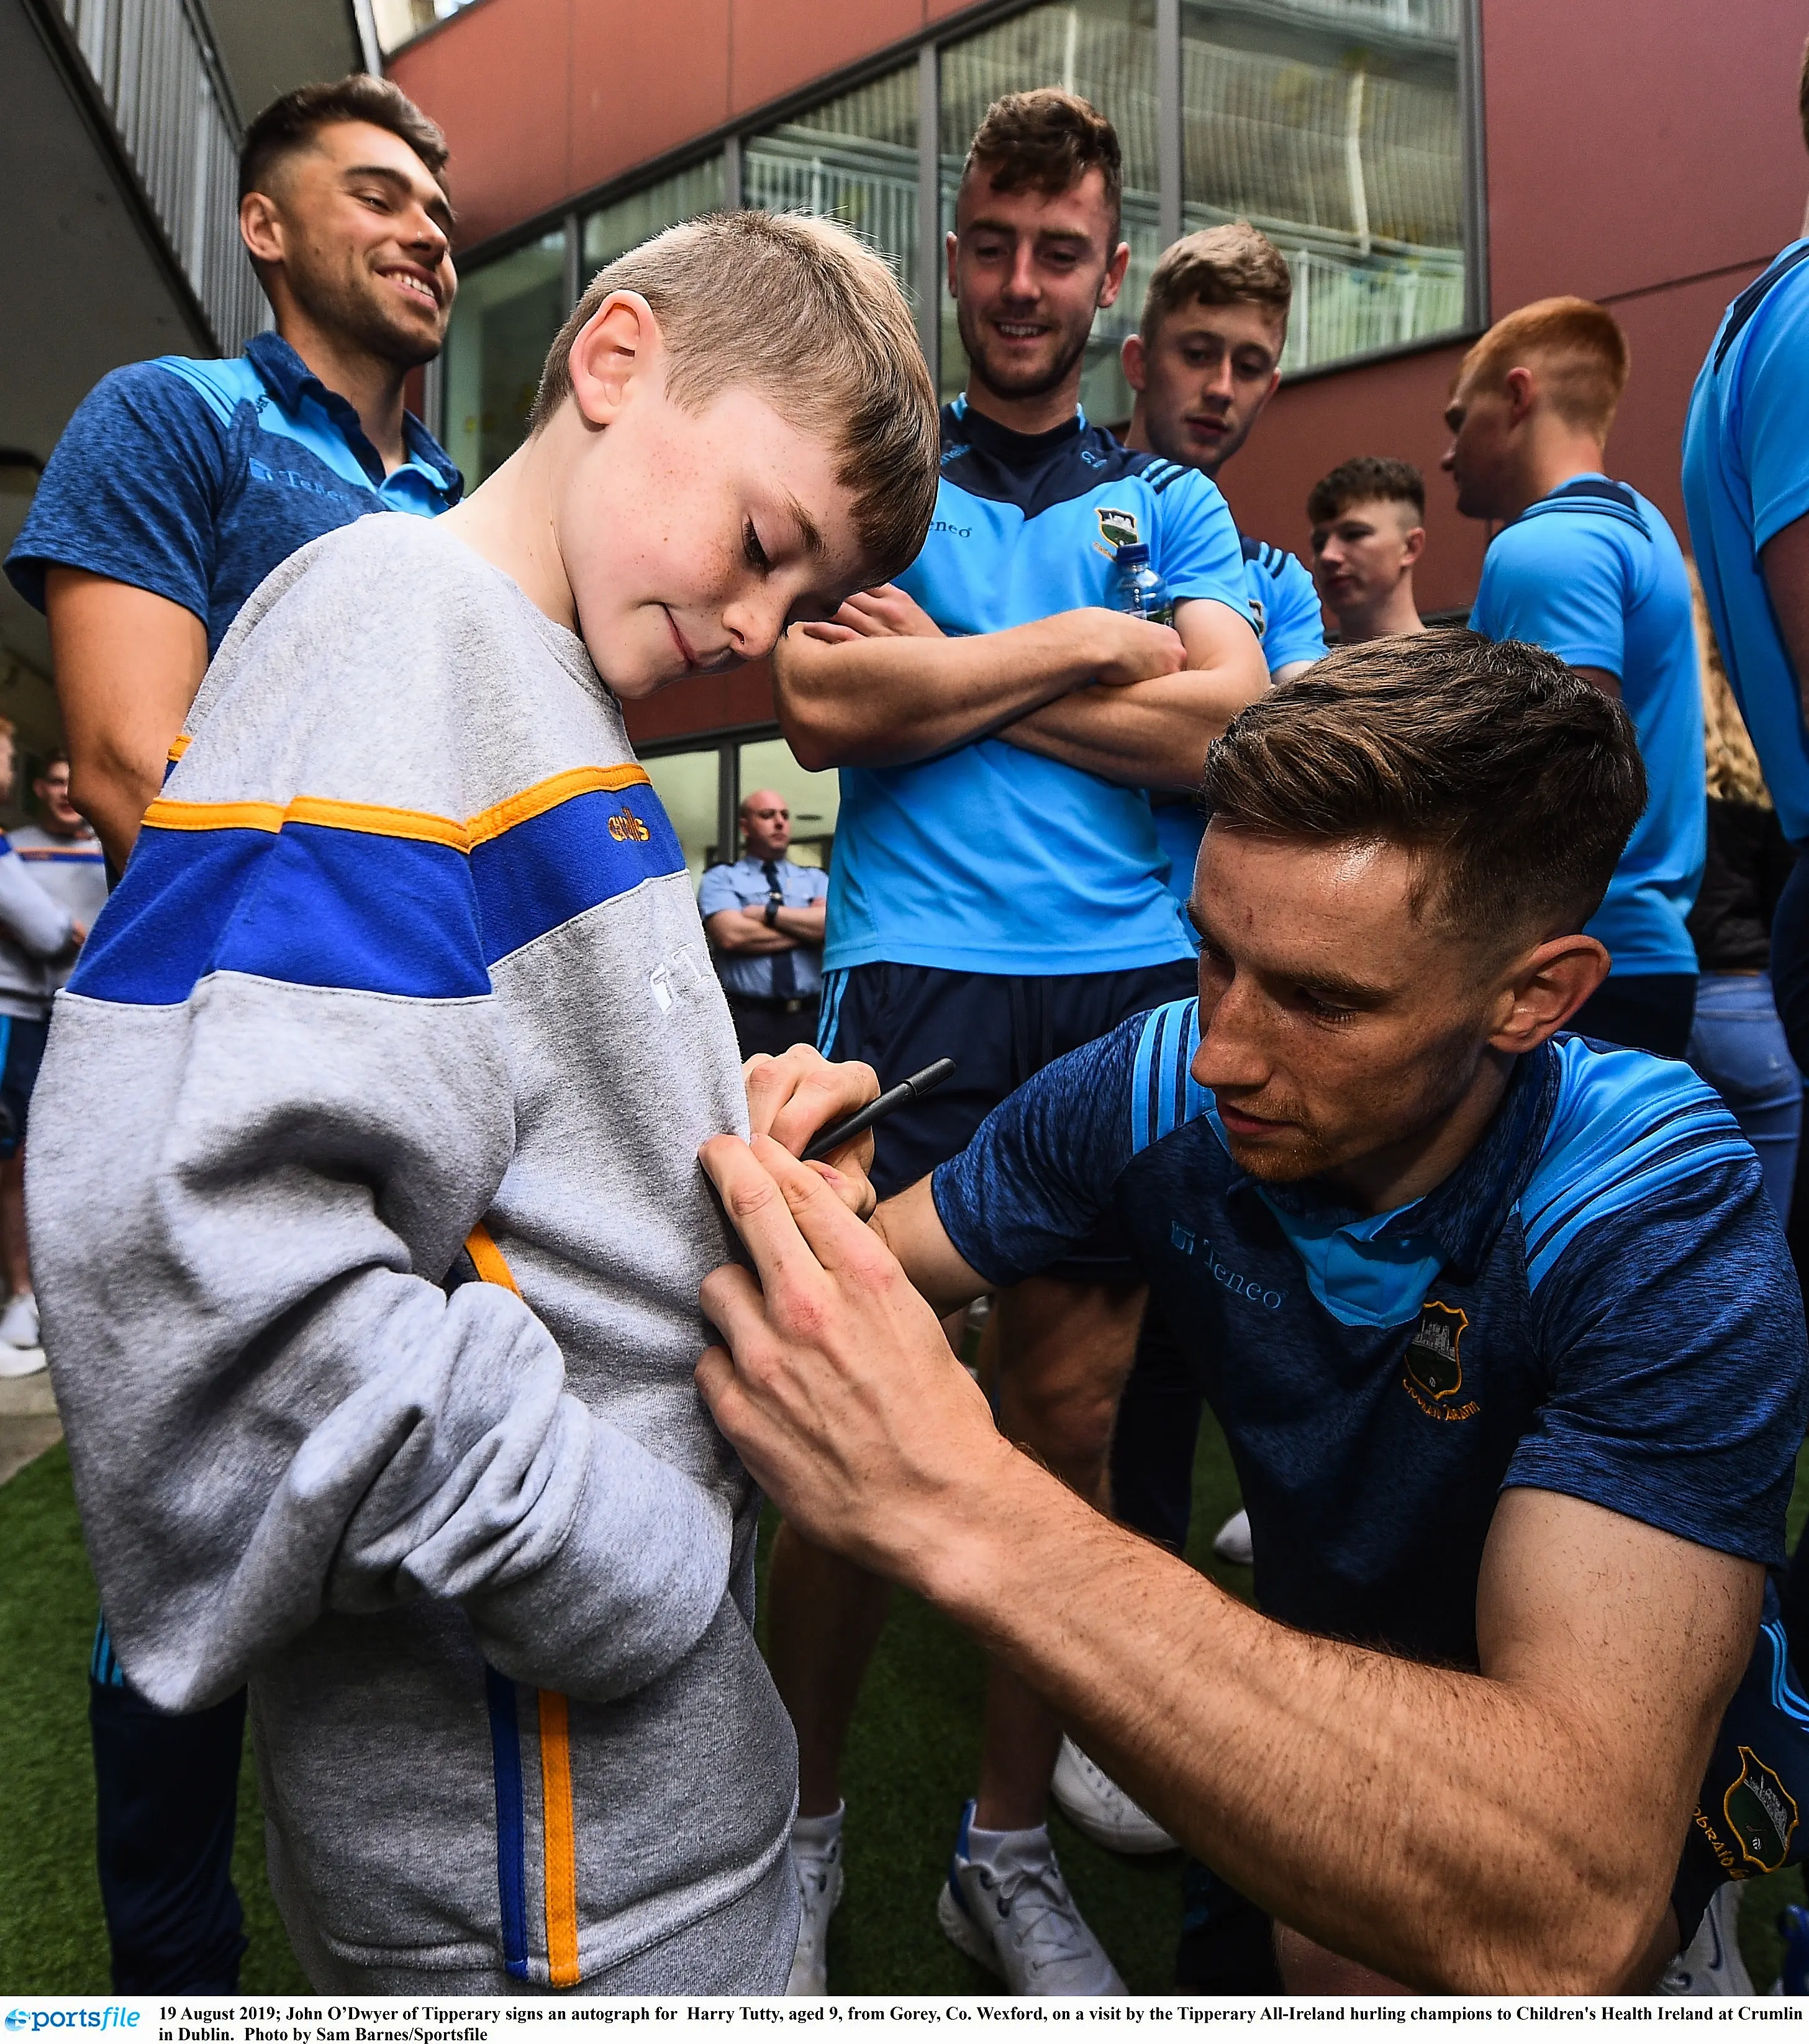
(1595, 1303)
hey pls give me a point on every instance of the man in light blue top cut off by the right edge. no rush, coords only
(1747, 496)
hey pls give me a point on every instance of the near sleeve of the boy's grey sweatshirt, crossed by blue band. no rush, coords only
(277, 1103)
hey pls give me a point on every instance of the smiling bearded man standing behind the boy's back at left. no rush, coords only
(171, 498)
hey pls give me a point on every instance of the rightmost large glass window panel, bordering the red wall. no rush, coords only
(1336, 128)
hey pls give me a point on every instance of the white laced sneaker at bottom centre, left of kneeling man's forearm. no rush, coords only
(1013, 1914)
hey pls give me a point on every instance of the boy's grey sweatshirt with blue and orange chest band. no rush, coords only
(406, 951)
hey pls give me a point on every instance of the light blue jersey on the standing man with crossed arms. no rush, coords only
(992, 860)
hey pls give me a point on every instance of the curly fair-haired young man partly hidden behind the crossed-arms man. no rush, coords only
(1205, 363)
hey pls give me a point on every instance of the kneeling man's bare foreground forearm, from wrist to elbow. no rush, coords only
(1413, 1818)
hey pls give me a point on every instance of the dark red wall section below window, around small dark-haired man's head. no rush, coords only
(1389, 408)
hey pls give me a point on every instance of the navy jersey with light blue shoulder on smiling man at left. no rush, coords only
(195, 479)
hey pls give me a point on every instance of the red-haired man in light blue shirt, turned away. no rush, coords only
(1591, 571)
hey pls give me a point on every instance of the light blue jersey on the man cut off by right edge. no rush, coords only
(1747, 477)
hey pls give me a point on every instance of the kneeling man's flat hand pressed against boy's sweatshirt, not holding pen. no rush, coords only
(841, 1391)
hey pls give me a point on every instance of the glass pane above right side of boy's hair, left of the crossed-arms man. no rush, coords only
(851, 160)
